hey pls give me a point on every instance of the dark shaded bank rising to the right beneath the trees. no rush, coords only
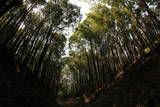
(139, 87)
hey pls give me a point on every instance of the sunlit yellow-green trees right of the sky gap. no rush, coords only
(108, 41)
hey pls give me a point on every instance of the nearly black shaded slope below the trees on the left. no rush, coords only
(17, 93)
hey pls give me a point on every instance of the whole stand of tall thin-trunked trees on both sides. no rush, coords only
(114, 36)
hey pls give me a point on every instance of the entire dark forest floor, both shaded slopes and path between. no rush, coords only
(138, 87)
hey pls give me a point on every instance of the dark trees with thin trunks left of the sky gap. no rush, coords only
(38, 40)
